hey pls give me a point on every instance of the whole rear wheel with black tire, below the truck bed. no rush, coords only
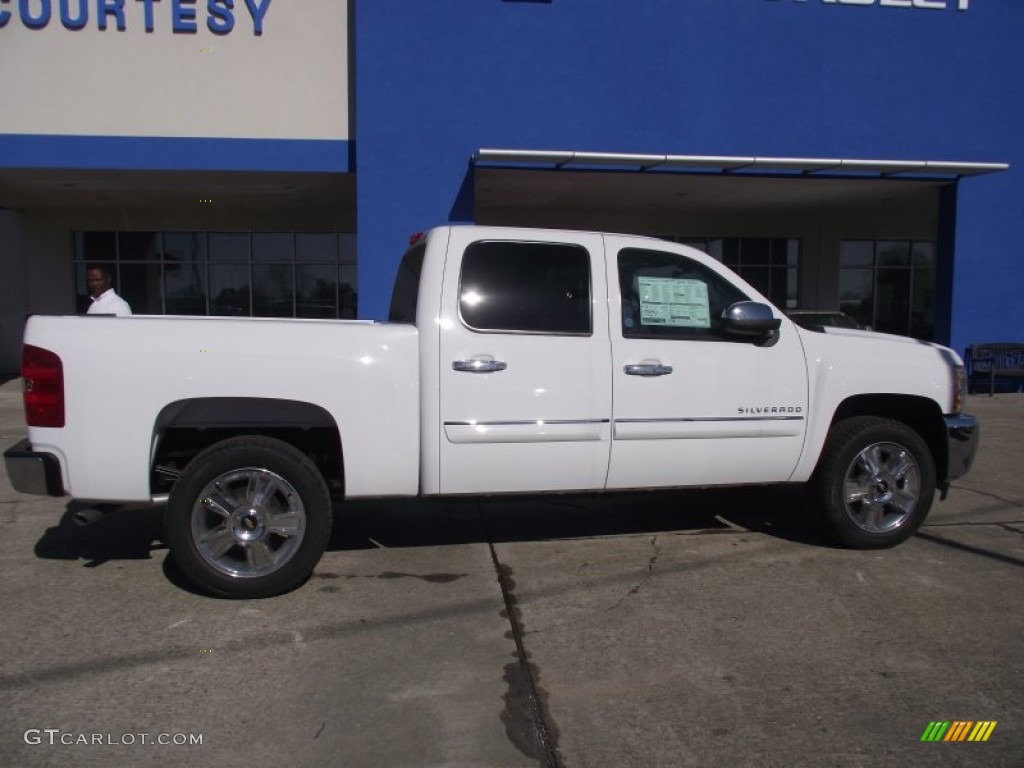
(250, 518)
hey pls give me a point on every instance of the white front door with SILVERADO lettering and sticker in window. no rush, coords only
(693, 405)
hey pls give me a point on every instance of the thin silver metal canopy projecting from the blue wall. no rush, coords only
(735, 165)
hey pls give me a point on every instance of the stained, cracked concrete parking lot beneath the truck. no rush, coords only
(669, 629)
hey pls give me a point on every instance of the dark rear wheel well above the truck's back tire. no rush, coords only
(187, 428)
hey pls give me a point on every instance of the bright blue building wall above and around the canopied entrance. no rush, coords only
(785, 78)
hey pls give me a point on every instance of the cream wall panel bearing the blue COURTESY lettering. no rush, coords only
(283, 77)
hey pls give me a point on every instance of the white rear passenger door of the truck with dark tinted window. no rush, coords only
(526, 386)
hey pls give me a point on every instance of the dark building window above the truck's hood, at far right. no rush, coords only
(889, 285)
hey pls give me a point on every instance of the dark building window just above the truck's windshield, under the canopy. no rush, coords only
(771, 265)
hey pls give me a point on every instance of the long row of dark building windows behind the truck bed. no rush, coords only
(263, 275)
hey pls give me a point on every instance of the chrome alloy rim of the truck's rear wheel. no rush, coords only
(248, 523)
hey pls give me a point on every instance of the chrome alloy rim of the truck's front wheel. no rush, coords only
(882, 488)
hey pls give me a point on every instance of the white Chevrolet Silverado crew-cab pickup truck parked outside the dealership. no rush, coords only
(515, 361)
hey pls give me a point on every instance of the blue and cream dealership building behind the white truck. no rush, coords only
(272, 158)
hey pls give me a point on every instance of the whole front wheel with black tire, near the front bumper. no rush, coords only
(876, 483)
